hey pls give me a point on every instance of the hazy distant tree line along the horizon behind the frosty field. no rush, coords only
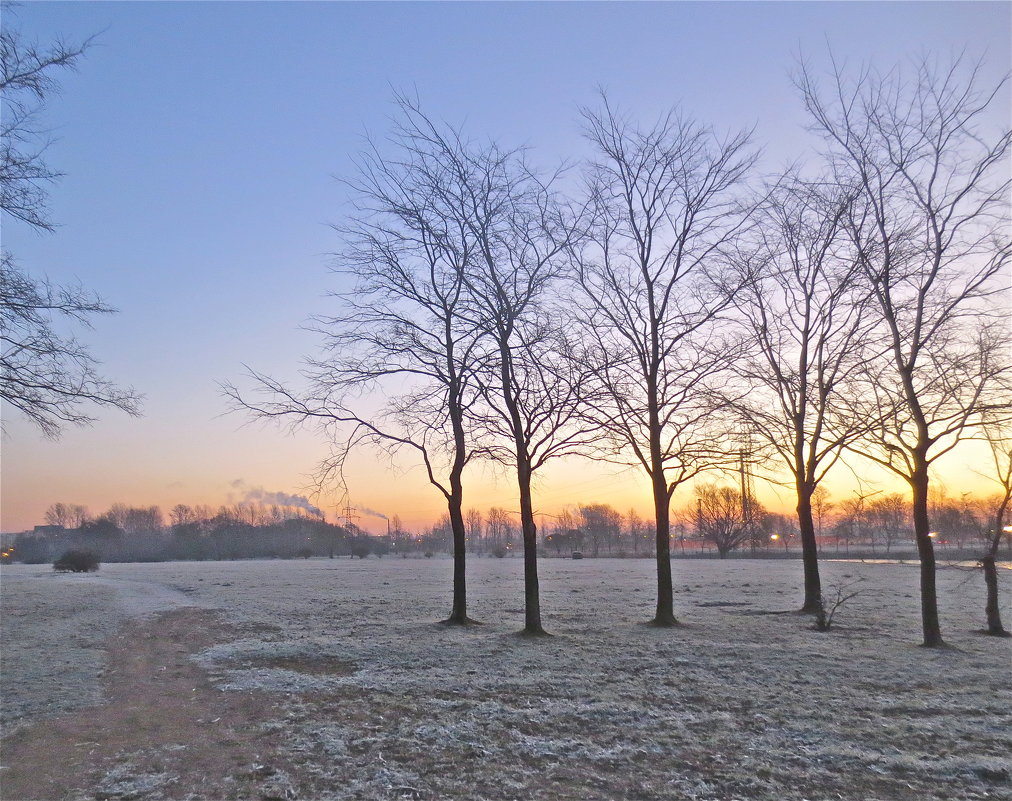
(713, 522)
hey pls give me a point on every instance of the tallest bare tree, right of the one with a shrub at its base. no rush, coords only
(931, 231)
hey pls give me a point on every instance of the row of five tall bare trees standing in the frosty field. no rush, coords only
(673, 310)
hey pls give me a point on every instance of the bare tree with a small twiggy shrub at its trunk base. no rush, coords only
(803, 310)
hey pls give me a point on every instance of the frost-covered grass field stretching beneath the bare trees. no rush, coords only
(364, 697)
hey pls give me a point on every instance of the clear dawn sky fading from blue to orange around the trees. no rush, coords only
(201, 142)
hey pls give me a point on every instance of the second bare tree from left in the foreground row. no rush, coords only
(534, 386)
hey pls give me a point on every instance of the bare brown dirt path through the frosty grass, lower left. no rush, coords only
(164, 731)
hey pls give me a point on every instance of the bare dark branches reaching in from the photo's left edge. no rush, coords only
(52, 379)
